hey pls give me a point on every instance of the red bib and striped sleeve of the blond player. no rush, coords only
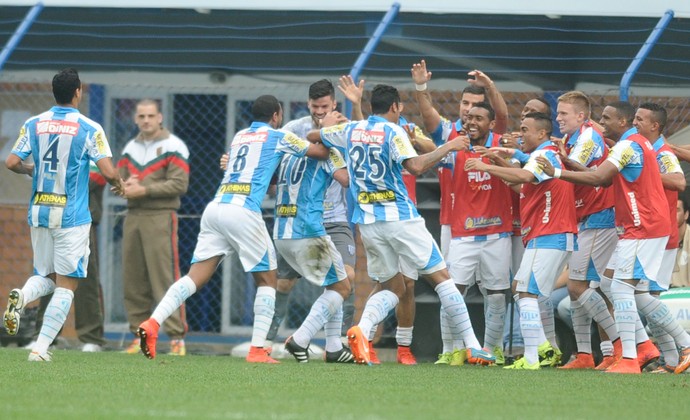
(588, 148)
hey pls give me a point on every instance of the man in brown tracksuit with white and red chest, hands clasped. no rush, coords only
(154, 165)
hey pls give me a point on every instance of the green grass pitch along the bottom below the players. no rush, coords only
(116, 386)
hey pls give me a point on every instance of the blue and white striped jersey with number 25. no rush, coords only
(375, 150)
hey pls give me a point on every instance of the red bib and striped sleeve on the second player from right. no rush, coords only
(639, 202)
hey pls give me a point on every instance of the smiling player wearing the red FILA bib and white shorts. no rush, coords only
(481, 227)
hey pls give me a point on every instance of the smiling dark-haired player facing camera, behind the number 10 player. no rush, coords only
(322, 101)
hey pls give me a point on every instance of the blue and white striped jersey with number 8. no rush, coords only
(255, 153)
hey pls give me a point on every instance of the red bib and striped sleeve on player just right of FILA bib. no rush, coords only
(547, 208)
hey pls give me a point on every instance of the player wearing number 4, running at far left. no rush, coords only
(62, 142)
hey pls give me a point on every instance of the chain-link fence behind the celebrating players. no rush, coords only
(206, 118)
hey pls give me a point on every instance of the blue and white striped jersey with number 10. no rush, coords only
(302, 184)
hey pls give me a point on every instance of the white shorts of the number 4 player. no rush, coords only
(64, 251)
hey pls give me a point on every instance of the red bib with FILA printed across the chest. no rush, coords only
(482, 204)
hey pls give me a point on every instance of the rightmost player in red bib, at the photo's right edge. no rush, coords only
(650, 120)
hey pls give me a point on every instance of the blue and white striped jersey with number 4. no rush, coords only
(63, 143)
